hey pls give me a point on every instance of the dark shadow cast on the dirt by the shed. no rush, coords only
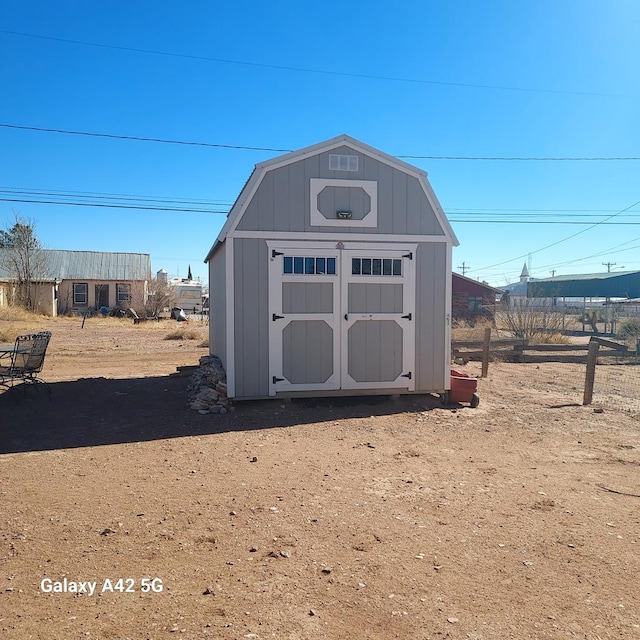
(99, 411)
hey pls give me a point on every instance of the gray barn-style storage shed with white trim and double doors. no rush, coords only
(332, 276)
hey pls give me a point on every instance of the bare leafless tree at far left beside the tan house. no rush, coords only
(24, 260)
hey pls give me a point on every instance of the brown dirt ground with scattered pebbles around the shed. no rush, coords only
(352, 518)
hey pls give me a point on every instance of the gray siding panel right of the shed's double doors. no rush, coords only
(431, 312)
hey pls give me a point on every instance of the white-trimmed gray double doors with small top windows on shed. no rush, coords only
(341, 318)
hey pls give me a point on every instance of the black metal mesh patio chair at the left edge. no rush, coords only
(26, 362)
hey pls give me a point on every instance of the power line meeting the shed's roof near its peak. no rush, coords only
(114, 136)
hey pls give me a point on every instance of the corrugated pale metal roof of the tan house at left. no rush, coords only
(94, 265)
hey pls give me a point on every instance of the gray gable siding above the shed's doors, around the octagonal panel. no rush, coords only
(282, 200)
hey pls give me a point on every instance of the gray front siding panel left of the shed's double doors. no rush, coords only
(251, 317)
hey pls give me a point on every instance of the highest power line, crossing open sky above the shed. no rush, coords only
(344, 74)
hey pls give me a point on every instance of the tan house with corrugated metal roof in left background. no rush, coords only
(82, 280)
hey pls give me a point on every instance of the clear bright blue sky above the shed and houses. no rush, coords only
(465, 78)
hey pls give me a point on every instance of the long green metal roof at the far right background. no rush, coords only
(621, 284)
